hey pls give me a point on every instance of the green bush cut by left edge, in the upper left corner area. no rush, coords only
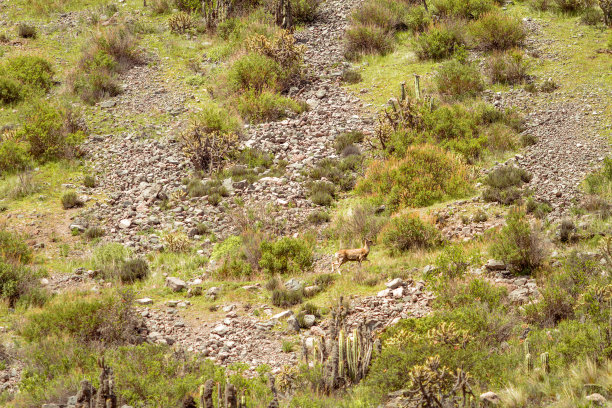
(30, 70)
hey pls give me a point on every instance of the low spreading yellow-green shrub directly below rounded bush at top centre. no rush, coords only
(266, 106)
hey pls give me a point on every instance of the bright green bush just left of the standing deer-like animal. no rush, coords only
(285, 256)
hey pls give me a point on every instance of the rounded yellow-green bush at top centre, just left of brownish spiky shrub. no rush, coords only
(255, 72)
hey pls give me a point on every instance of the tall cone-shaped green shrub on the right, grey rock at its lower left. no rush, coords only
(519, 245)
